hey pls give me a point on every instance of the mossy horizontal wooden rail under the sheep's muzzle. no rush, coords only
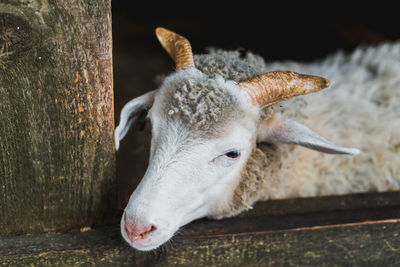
(341, 238)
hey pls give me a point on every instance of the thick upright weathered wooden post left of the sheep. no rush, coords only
(56, 115)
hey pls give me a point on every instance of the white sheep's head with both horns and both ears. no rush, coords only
(204, 130)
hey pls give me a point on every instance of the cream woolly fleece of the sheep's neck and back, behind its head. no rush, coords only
(360, 109)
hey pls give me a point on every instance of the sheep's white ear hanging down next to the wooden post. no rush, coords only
(130, 114)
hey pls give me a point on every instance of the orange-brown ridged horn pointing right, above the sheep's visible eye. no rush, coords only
(272, 87)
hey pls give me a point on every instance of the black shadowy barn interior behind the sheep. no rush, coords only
(301, 31)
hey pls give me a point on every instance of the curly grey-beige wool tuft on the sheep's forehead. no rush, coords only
(201, 102)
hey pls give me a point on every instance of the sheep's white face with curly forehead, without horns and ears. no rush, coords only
(194, 165)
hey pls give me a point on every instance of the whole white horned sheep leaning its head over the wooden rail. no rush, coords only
(228, 131)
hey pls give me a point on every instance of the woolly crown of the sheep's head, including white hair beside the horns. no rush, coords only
(202, 102)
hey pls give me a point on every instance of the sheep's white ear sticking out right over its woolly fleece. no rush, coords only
(280, 130)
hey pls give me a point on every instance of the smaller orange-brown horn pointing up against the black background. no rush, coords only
(177, 46)
